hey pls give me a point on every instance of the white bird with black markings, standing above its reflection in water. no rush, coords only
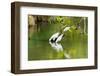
(59, 35)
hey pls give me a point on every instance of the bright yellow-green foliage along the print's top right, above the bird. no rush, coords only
(73, 22)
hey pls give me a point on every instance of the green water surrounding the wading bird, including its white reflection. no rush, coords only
(72, 46)
